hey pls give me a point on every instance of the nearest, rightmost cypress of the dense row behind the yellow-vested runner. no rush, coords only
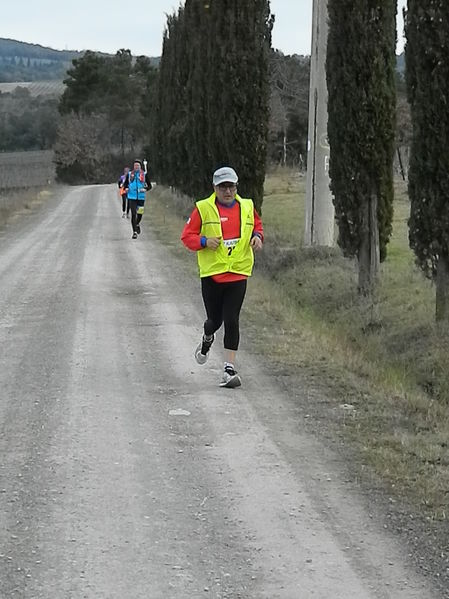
(239, 90)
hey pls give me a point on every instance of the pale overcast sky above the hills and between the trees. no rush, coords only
(108, 25)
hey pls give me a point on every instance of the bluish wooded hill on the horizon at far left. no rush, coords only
(24, 62)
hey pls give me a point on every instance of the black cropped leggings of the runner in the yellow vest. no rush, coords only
(223, 302)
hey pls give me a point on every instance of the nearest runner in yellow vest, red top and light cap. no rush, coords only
(224, 229)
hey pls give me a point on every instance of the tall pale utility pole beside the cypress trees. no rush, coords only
(319, 222)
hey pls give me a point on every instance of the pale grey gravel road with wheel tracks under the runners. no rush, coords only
(125, 471)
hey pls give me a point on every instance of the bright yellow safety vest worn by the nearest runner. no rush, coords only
(233, 255)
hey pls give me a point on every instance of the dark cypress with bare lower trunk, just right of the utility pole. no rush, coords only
(360, 77)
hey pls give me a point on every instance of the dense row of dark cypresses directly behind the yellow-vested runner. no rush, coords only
(212, 104)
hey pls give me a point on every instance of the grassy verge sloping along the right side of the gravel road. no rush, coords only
(384, 391)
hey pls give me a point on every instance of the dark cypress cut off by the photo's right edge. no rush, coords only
(427, 76)
